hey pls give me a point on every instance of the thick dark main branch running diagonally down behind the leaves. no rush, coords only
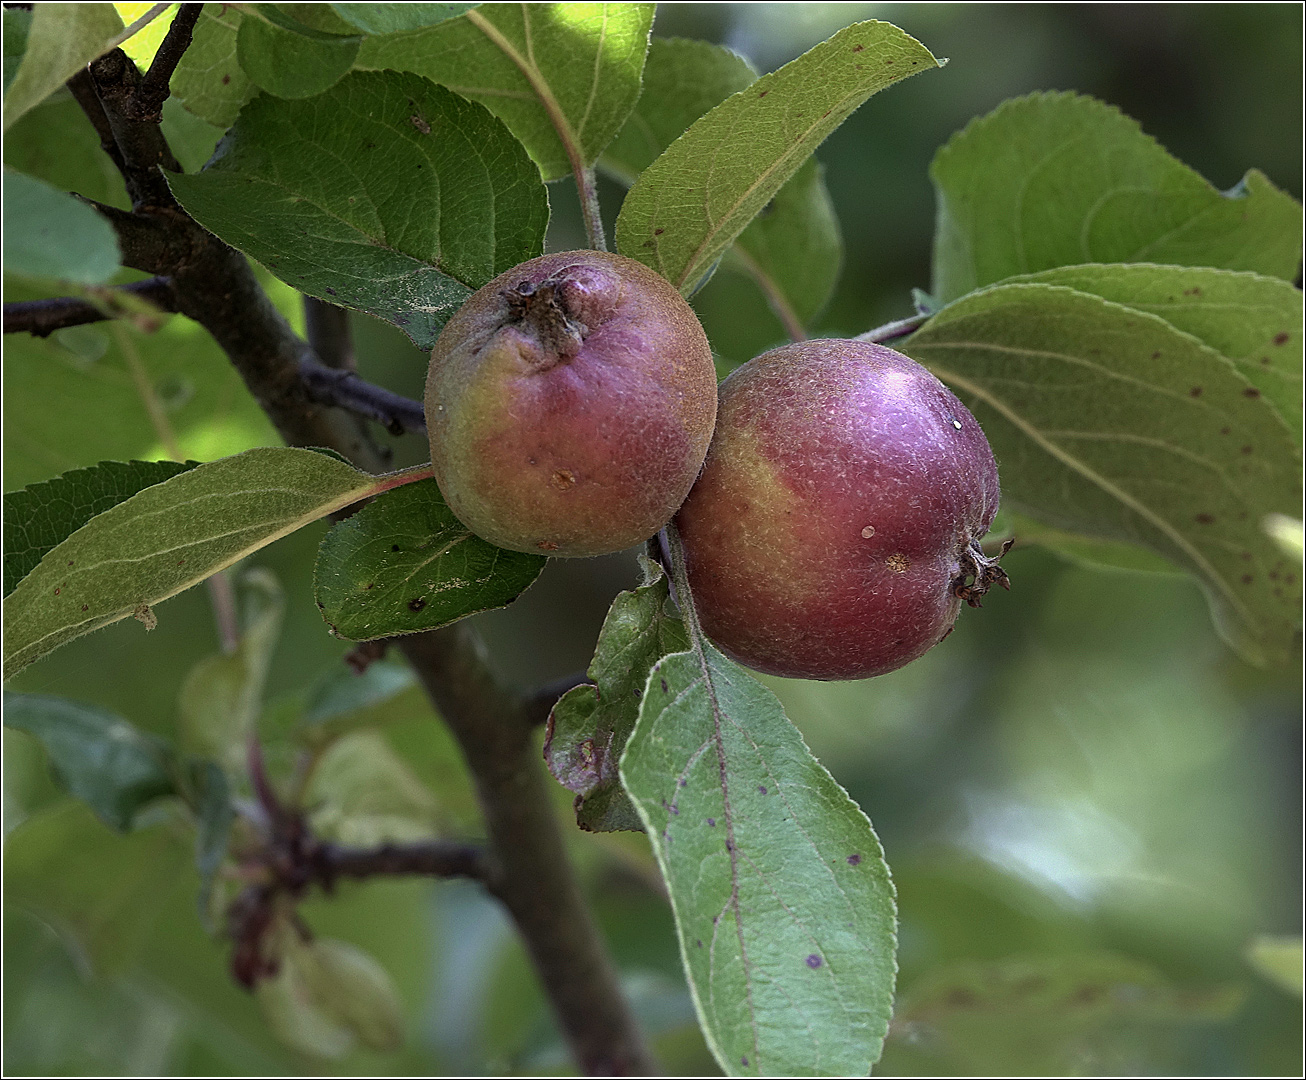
(534, 877)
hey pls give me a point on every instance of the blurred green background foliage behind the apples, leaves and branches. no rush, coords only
(1090, 805)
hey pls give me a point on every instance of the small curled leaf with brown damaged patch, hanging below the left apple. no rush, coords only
(590, 725)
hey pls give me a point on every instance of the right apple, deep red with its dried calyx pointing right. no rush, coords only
(834, 532)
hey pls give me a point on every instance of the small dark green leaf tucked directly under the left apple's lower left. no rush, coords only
(406, 564)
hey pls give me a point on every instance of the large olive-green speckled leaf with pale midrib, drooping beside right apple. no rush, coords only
(1112, 424)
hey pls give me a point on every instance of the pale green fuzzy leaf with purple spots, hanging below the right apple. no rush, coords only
(783, 902)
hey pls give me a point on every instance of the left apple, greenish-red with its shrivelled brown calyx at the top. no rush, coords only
(570, 404)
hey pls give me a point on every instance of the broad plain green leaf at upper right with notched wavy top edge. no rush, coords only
(1062, 180)
